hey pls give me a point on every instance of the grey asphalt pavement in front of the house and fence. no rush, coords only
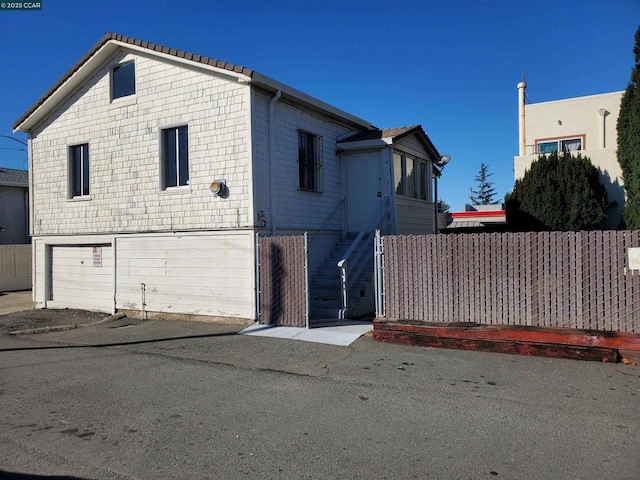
(191, 400)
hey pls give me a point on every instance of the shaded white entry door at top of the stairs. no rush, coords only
(364, 189)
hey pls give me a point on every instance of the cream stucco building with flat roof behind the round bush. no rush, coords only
(585, 125)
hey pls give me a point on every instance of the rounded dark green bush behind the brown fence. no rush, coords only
(559, 192)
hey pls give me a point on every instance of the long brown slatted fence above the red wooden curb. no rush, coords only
(556, 279)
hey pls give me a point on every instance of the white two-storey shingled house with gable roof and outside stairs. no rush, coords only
(152, 169)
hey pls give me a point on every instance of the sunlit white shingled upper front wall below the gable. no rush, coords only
(124, 151)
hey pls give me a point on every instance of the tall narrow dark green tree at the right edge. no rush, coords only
(629, 143)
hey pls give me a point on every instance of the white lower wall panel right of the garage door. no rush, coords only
(208, 274)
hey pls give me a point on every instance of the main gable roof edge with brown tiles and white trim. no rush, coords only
(110, 42)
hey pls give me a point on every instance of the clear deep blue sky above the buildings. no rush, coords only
(451, 66)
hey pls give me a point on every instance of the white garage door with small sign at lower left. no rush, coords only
(82, 277)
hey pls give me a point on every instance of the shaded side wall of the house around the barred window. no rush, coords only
(294, 209)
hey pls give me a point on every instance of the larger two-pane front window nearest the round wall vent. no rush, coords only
(175, 157)
